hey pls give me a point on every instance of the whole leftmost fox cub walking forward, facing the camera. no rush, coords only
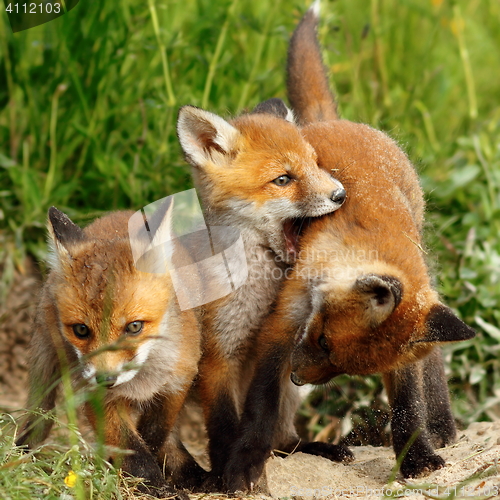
(118, 328)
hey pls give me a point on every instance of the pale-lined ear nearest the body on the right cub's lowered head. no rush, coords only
(381, 294)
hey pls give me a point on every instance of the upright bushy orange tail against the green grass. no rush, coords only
(308, 90)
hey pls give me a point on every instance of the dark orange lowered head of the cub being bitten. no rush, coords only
(372, 323)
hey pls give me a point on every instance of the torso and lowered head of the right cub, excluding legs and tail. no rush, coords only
(369, 305)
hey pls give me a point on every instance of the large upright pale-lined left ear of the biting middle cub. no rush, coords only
(205, 137)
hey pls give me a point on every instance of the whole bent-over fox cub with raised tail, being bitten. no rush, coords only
(360, 298)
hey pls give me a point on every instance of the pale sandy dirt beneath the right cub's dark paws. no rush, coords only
(476, 453)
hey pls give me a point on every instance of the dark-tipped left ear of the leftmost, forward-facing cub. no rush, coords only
(62, 232)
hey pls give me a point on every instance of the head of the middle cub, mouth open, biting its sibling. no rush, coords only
(257, 172)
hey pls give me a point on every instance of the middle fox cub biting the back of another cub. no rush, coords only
(258, 175)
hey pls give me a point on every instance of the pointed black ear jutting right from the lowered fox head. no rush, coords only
(443, 326)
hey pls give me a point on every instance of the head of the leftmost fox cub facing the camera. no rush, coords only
(122, 324)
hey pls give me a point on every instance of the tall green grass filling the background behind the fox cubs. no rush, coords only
(88, 106)
